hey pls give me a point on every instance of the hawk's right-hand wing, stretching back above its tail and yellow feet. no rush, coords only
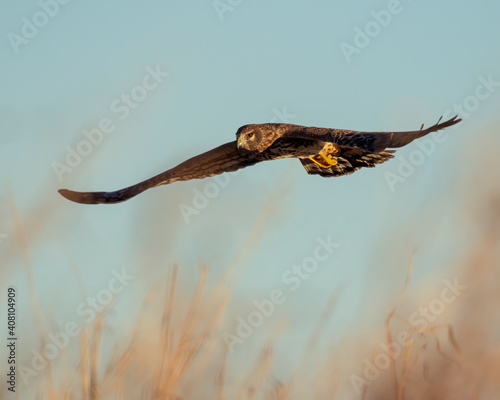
(373, 142)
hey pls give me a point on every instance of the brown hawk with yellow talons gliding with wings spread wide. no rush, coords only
(322, 151)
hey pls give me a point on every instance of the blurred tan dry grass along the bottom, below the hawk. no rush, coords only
(175, 348)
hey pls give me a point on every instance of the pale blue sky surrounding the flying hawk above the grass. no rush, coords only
(261, 57)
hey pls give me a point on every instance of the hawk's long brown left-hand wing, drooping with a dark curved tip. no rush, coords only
(225, 158)
